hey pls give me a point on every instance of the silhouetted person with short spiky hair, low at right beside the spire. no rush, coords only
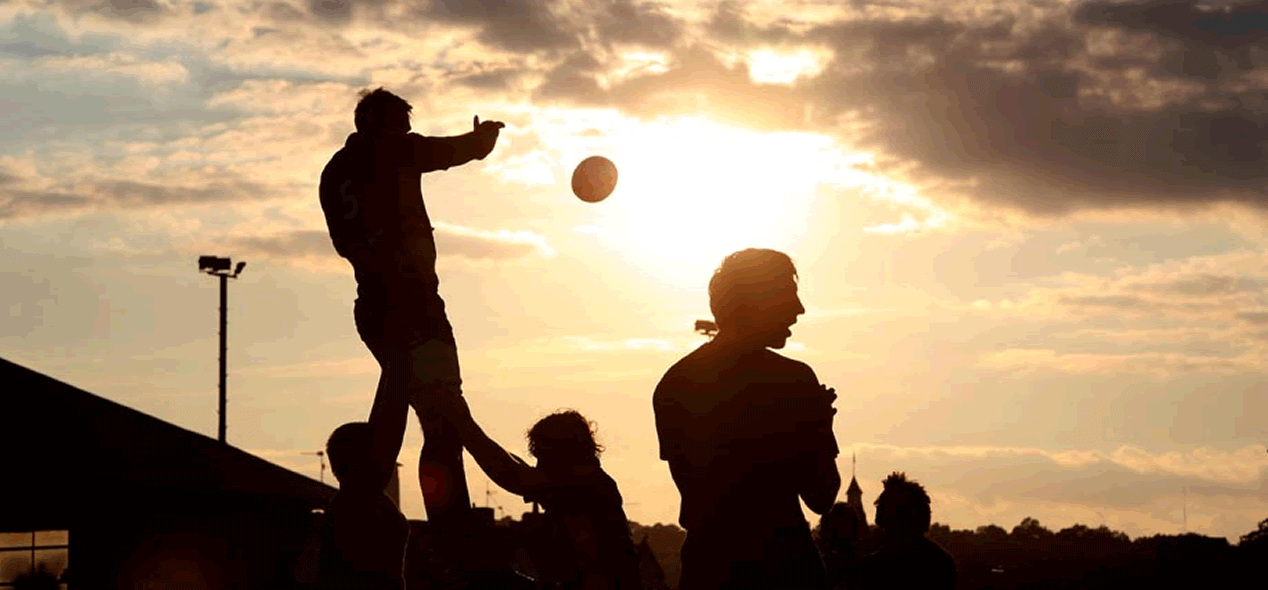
(906, 558)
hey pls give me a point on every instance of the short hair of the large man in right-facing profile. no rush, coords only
(745, 279)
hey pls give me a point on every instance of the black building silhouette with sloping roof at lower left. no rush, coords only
(140, 503)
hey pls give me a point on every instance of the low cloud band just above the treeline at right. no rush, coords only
(1137, 489)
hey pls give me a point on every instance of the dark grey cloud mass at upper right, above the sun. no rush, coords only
(1045, 115)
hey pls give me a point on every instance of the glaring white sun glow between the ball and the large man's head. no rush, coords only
(693, 191)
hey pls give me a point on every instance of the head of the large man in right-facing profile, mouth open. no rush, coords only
(754, 296)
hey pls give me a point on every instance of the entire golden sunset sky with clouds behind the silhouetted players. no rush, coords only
(1032, 235)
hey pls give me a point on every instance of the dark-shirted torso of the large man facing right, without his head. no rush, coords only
(744, 428)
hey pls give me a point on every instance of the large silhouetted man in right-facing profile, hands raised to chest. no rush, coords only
(747, 433)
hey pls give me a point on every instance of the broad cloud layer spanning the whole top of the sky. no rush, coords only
(1040, 111)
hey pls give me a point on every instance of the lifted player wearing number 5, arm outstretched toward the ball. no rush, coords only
(373, 204)
